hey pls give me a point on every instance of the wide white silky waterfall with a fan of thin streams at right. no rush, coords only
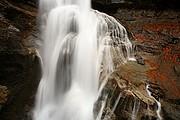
(77, 43)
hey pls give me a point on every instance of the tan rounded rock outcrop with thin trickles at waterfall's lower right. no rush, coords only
(126, 95)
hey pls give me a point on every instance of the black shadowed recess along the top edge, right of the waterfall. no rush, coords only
(114, 5)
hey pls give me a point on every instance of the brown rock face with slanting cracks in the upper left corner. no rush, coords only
(16, 23)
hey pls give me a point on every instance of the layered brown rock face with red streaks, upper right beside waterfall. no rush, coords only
(153, 30)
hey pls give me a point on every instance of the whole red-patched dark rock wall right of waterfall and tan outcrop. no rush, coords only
(155, 34)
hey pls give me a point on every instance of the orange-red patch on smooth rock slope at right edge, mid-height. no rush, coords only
(162, 71)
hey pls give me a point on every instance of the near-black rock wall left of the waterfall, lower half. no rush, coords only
(19, 78)
